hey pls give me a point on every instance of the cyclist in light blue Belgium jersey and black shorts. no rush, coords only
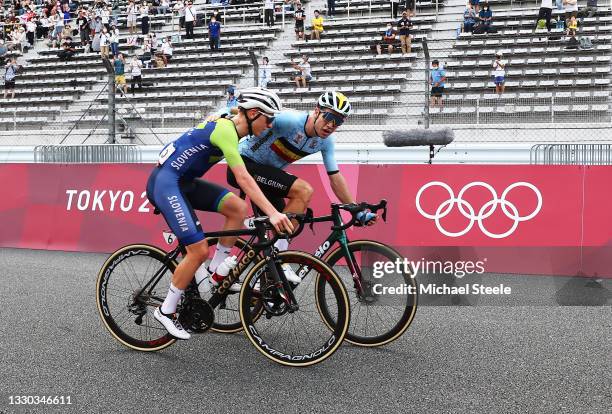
(295, 135)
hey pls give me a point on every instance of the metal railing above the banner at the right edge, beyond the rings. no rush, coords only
(571, 154)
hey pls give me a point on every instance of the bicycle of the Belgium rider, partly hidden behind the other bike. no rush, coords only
(377, 319)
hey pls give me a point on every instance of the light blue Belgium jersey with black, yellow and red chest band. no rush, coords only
(287, 142)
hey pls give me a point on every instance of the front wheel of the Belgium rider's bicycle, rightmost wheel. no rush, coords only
(384, 306)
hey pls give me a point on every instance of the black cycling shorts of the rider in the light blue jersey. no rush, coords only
(273, 182)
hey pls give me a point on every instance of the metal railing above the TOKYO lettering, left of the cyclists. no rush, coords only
(77, 154)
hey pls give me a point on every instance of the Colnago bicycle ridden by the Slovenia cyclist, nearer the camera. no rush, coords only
(267, 301)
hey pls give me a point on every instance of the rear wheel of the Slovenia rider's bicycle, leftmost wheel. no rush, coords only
(126, 309)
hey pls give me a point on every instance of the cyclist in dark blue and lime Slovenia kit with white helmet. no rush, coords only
(175, 189)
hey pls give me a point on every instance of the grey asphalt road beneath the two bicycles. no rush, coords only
(513, 357)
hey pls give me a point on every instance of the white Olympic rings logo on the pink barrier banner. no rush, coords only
(468, 211)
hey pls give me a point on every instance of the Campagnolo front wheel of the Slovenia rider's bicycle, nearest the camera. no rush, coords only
(293, 333)
